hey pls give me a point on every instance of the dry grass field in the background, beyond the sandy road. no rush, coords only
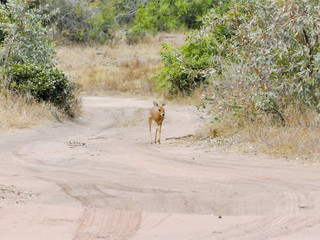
(119, 68)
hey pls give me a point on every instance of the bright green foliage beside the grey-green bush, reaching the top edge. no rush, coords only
(188, 67)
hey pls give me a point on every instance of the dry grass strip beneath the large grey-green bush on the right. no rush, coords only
(298, 139)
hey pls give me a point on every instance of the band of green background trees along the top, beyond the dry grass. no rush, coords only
(84, 21)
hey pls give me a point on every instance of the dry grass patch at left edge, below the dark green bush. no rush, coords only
(20, 112)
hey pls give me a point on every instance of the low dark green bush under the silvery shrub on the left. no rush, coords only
(44, 84)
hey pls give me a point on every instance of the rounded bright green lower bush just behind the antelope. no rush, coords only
(185, 68)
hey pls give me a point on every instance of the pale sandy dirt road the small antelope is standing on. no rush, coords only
(100, 178)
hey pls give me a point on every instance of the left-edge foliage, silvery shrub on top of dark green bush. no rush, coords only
(27, 56)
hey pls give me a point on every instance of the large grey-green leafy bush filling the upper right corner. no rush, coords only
(278, 55)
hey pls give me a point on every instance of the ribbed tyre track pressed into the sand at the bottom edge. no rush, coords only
(101, 222)
